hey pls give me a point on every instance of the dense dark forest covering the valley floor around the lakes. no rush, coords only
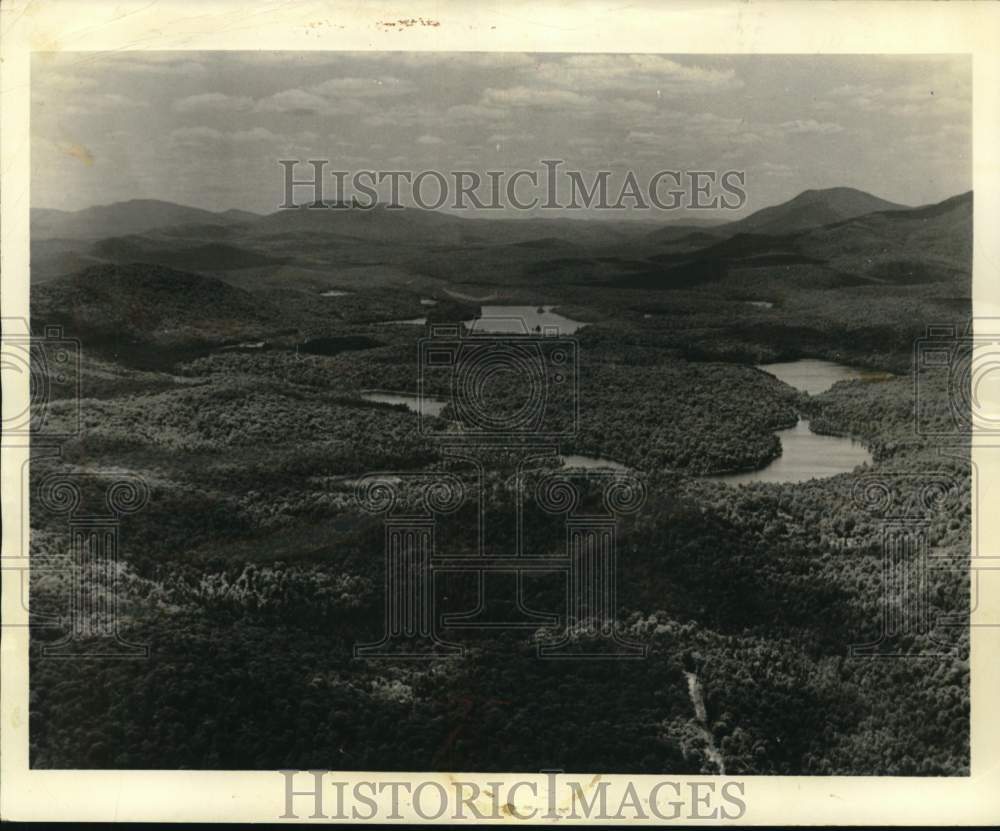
(253, 572)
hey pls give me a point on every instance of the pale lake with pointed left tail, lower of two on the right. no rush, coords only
(804, 455)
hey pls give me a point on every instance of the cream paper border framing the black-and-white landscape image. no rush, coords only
(643, 27)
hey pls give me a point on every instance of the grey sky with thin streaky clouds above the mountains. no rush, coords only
(207, 128)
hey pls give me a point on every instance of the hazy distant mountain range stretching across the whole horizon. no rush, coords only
(837, 236)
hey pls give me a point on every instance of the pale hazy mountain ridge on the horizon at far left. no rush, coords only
(135, 216)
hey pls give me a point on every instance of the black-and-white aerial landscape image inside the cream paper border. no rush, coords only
(556, 412)
